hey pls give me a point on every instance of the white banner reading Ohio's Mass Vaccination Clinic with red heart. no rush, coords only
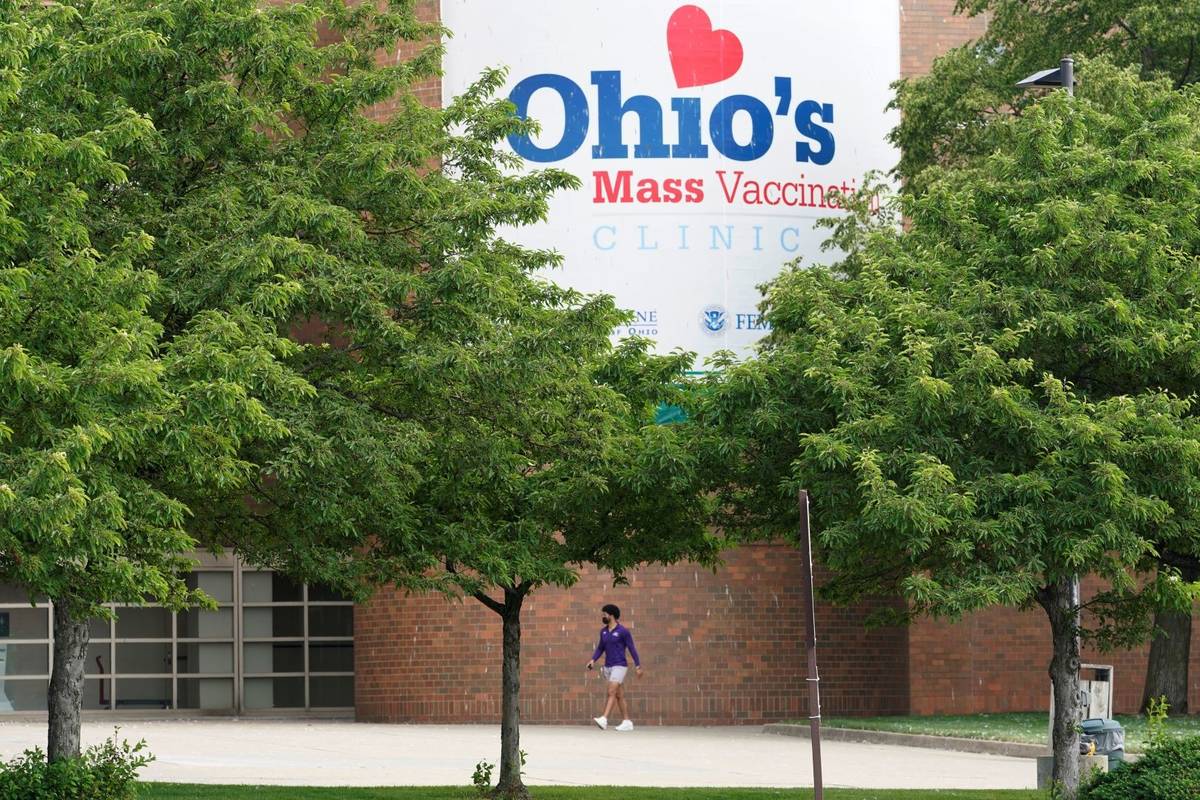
(709, 139)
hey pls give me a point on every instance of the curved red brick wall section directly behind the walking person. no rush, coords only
(717, 649)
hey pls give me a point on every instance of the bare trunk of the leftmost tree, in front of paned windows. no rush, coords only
(65, 695)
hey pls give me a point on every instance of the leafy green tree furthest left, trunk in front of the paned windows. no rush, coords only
(218, 141)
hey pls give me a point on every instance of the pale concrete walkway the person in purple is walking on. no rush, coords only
(346, 754)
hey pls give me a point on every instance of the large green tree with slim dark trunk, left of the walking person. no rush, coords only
(454, 422)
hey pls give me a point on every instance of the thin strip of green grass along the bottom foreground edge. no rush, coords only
(188, 792)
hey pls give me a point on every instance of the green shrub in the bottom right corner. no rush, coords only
(1168, 772)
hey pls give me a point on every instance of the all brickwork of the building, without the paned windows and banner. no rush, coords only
(718, 648)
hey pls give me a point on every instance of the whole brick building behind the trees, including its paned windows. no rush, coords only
(719, 648)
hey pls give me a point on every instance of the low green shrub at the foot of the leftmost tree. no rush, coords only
(107, 772)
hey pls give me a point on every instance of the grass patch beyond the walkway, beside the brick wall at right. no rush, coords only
(1029, 729)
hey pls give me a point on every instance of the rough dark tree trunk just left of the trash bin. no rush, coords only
(1061, 604)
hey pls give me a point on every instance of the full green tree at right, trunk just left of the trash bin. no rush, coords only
(986, 405)
